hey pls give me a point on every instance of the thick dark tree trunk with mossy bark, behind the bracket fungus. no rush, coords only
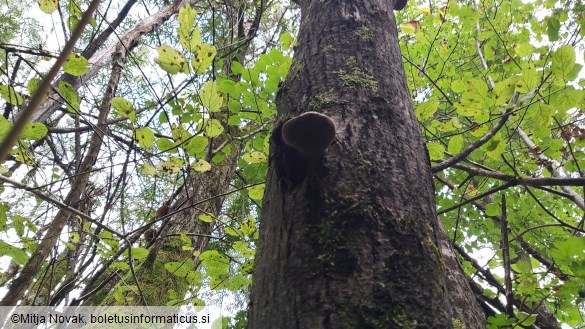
(348, 241)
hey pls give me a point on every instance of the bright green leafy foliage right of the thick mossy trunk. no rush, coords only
(468, 66)
